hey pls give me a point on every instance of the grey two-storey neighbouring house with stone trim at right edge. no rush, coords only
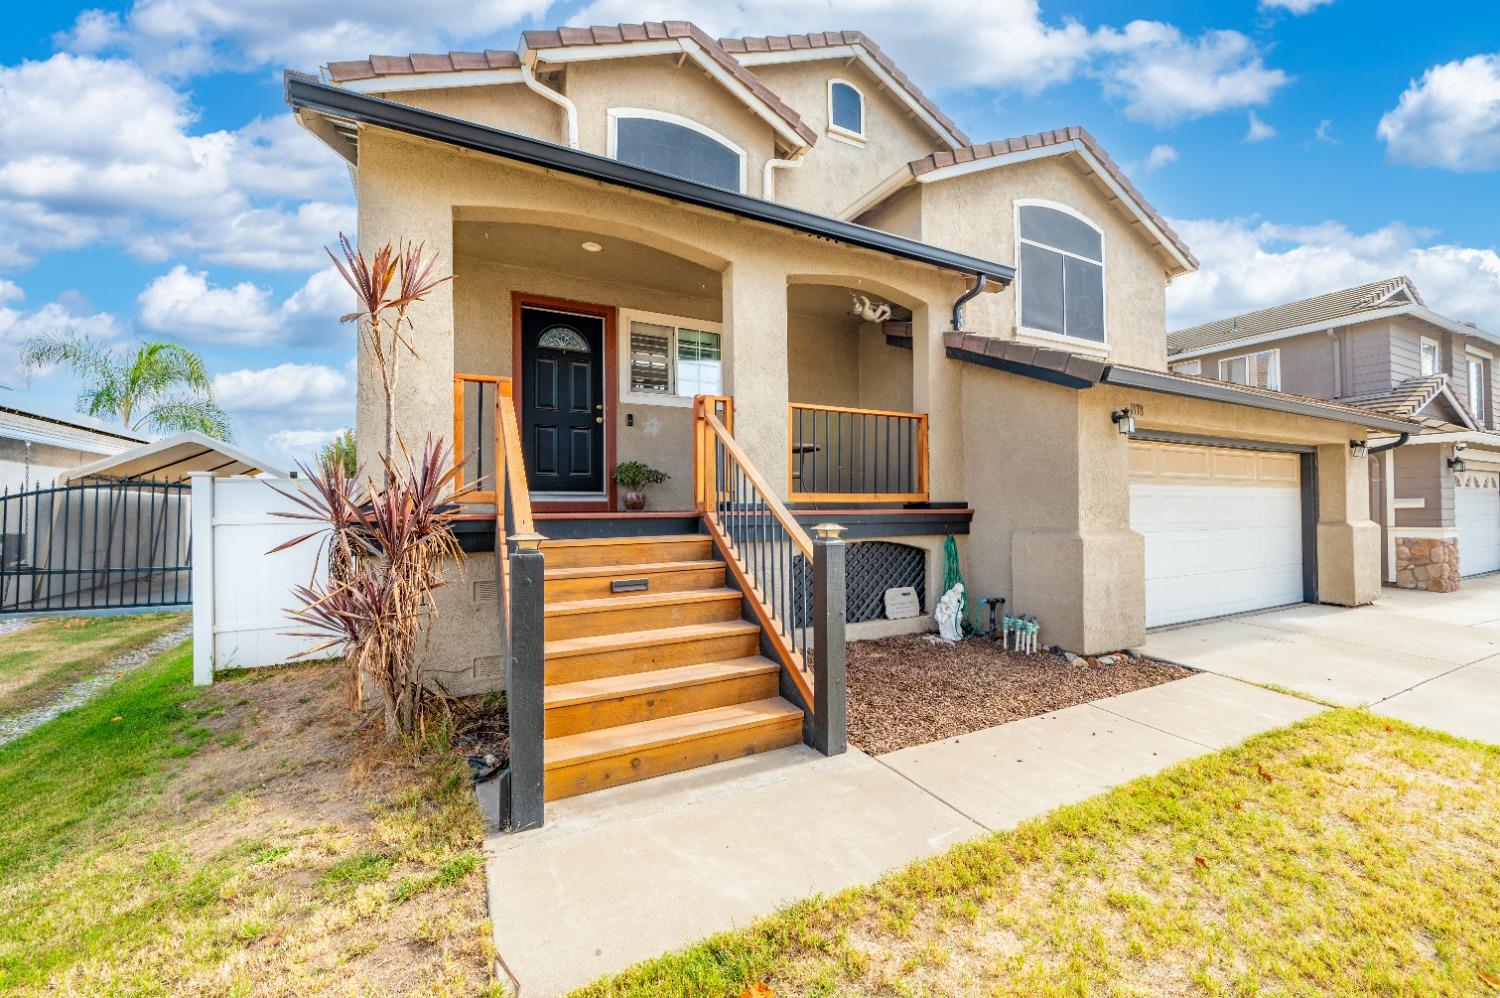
(1379, 346)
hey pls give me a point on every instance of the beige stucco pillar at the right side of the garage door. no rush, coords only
(1348, 540)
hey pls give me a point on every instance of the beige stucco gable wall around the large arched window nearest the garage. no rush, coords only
(976, 214)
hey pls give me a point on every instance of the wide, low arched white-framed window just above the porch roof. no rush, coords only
(676, 146)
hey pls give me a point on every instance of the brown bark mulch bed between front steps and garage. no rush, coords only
(917, 690)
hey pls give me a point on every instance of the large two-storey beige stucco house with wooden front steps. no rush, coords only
(643, 215)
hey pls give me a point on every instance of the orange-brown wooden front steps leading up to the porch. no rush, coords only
(650, 666)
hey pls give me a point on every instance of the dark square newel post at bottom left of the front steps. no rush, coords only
(524, 682)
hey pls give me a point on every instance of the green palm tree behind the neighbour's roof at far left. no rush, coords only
(155, 386)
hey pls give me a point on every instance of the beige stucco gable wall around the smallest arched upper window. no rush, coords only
(838, 170)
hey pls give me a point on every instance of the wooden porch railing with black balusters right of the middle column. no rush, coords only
(856, 455)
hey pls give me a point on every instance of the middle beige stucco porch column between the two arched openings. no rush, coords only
(755, 362)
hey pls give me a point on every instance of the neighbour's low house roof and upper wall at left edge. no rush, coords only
(38, 448)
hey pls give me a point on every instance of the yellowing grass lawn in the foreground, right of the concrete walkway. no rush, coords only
(1346, 855)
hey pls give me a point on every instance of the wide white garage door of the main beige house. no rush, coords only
(1223, 529)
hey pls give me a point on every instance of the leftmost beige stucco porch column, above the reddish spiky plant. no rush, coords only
(394, 206)
